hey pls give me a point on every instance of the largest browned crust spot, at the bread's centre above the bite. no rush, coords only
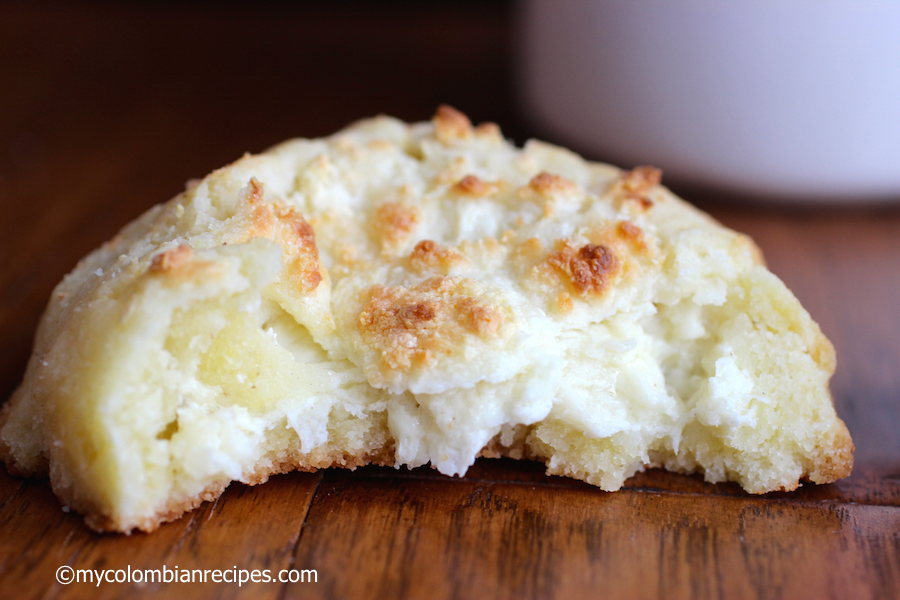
(416, 326)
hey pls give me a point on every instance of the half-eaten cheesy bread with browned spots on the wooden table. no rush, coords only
(410, 294)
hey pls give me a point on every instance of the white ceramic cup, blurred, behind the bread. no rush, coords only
(781, 99)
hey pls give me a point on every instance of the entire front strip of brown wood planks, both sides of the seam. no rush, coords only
(504, 531)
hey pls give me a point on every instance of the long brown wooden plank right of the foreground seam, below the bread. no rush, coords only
(474, 539)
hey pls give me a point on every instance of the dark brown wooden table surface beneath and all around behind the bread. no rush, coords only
(106, 111)
